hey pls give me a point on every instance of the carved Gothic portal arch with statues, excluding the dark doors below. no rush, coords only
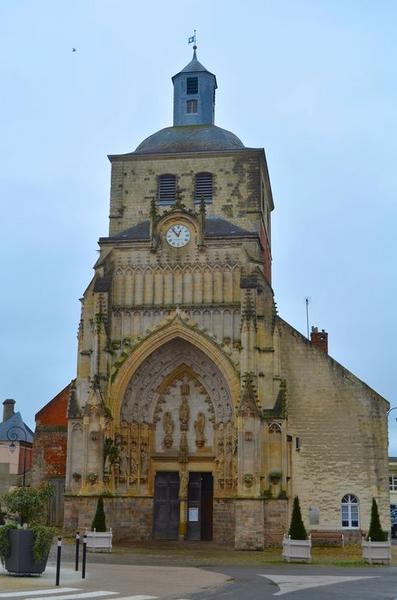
(176, 416)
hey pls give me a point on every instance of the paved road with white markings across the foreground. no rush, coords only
(109, 581)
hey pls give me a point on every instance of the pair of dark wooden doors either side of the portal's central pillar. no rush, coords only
(167, 506)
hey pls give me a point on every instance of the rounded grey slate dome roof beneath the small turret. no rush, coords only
(189, 138)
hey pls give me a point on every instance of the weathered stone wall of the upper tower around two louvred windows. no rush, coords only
(237, 186)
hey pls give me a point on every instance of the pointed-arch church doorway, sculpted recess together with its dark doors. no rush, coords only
(181, 399)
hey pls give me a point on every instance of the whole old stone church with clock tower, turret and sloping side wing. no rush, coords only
(197, 411)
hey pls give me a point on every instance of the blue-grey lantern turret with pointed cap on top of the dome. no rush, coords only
(194, 94)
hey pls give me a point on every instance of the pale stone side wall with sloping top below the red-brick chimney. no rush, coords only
(341, 423)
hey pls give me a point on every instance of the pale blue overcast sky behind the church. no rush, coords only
(313, 82)
